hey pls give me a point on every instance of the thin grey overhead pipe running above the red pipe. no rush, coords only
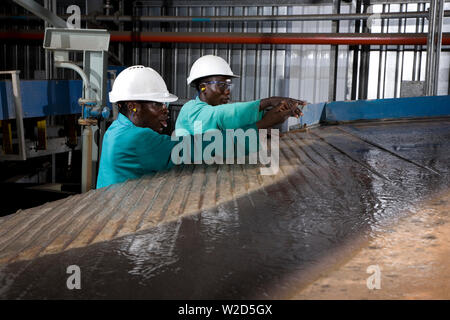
(302, 17)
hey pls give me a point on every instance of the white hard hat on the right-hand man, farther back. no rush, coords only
(209, 65)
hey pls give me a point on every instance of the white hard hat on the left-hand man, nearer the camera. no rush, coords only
(140, 83)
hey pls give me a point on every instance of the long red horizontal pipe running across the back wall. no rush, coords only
(254, 38)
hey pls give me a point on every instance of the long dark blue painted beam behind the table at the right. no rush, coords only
(412, 107)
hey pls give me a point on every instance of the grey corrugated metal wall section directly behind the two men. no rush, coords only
(265, 70)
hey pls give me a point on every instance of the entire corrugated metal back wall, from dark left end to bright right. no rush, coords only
(300, 71)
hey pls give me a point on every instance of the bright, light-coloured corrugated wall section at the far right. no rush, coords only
(390, 65)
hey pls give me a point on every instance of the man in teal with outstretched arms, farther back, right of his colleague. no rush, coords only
(212, 77)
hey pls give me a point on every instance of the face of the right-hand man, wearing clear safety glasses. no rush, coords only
(215, 93)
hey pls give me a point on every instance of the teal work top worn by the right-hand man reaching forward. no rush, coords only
(222, 117)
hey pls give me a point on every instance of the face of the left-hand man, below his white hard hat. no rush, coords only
(148, 114)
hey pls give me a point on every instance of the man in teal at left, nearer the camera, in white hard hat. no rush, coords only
(133, 145)
